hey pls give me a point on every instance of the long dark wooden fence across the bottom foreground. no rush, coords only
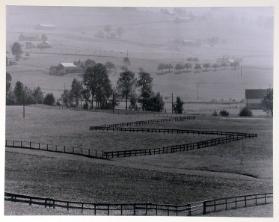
(189, 209)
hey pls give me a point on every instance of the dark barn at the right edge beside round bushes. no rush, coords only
(254, 98)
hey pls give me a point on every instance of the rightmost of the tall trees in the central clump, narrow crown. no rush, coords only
(145, 84)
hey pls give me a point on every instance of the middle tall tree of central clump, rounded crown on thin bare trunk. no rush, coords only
(125, 84)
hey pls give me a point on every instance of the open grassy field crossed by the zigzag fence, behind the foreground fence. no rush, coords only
(237, 168)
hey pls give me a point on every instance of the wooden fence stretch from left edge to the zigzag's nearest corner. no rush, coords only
(54, 148)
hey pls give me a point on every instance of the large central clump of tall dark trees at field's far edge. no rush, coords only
(96, 87)
